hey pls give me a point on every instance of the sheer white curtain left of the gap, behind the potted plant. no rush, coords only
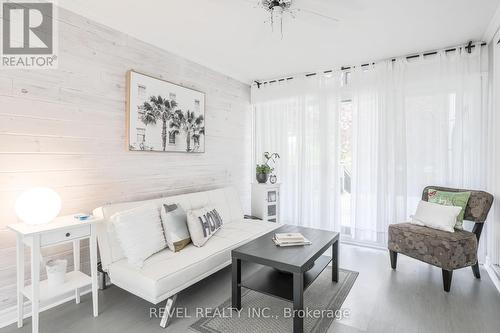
(299, 120)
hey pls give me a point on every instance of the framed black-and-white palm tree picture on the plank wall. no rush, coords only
(163, 116)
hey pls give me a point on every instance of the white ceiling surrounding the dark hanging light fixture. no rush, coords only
(230, 36)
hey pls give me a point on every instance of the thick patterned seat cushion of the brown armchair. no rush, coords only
(436, 247)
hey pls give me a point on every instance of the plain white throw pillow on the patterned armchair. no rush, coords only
(436, 216)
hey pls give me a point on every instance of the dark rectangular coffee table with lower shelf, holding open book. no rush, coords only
(284, 272)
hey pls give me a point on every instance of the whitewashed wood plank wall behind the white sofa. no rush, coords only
(65, 129)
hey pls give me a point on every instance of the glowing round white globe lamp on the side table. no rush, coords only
(38, 205)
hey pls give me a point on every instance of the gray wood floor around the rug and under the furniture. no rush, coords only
(408, 300)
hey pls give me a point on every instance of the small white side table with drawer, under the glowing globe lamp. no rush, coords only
(62, 230)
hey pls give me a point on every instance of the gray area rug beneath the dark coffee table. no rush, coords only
(262, 313)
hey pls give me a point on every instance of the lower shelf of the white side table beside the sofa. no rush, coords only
(74, 280)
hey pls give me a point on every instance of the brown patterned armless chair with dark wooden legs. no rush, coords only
(446, 250)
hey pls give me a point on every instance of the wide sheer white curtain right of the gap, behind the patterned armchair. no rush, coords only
(416, 123)
